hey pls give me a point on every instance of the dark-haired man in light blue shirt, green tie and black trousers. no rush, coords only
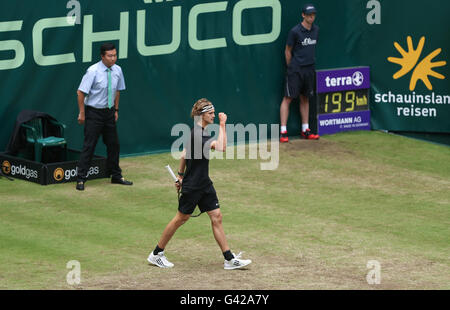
(98, 103)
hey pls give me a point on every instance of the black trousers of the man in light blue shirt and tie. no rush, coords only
(100, 122)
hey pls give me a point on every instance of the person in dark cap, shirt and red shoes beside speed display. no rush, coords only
(300, 78)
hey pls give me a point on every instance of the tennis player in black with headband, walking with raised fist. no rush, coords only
(197, 188)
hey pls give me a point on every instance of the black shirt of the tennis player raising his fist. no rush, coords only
(197, 160)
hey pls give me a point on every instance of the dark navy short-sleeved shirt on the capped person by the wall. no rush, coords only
(303, 43)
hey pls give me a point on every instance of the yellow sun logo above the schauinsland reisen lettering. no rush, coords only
(409, 60)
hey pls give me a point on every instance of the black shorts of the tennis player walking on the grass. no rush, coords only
(205, 198)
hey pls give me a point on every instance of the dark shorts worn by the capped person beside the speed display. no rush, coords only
(300, 82)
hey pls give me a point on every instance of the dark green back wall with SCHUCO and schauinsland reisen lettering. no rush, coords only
(174, 52)
